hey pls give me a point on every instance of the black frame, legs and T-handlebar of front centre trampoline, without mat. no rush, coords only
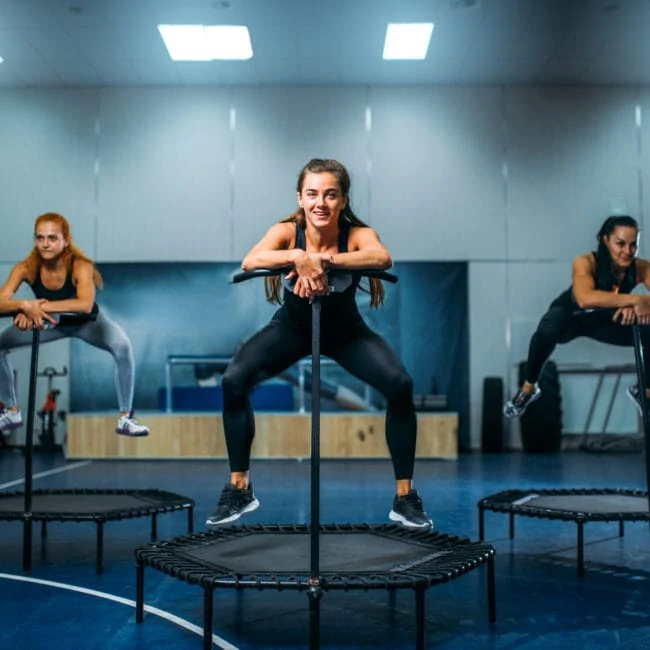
(162, 557)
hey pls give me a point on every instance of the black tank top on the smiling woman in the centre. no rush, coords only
(337, 307)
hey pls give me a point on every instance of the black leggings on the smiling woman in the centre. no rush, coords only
(360, 351)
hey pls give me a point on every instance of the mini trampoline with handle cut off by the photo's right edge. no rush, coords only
(580, 505)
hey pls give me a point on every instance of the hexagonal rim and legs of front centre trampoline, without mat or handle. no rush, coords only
(456, 556)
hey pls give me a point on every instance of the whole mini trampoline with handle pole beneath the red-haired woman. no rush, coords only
(98, 506)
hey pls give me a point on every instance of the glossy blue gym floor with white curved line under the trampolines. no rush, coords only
(541, 603)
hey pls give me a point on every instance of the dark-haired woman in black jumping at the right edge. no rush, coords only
(601, 279)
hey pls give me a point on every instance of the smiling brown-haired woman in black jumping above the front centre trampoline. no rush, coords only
(322, 234)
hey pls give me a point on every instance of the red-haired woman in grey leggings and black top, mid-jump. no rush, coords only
(62, 279)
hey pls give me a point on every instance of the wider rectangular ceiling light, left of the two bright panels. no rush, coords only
(206, 42)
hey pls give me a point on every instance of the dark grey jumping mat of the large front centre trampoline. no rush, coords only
(340, 553)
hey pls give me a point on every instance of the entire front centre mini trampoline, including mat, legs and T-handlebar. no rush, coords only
(316, 558)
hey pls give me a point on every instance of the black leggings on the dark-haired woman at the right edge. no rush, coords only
(559, 325)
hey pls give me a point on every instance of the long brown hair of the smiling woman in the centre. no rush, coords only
(323, 166)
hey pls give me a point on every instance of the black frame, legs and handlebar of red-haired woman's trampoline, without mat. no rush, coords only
(173, 502)
